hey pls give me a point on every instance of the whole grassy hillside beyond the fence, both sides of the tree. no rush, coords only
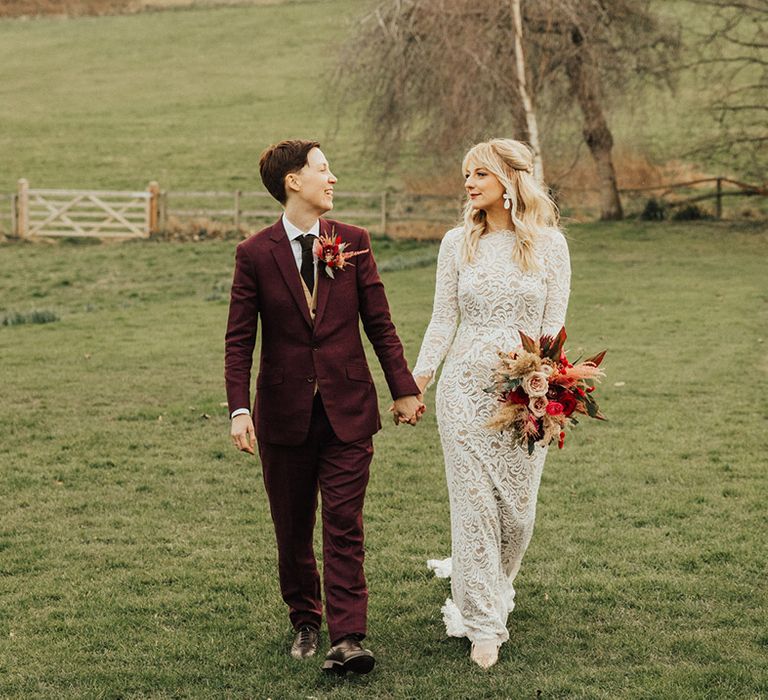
(191, 97)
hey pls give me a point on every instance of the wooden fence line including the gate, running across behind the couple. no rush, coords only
(127, 214)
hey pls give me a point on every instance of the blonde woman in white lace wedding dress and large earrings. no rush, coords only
(505, 270)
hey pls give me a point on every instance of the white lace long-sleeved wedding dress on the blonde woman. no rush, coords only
(492, 484)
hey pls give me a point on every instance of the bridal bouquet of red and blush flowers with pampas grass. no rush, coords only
(539, 390)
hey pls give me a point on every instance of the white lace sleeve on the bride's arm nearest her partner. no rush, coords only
(445, 311)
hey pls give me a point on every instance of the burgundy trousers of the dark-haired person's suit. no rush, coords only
(293, 476)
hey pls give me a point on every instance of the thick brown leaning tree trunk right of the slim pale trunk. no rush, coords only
(597, 135)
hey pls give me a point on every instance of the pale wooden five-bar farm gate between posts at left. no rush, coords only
(87, 213)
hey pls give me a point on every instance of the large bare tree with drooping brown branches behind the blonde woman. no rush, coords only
(447, 71)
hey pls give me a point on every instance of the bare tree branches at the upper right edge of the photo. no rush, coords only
(733, 60)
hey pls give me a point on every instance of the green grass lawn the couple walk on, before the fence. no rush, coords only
(136, 550)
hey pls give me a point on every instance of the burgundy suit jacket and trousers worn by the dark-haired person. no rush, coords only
(314, 440)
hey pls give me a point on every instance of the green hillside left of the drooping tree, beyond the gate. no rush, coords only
(189, 98)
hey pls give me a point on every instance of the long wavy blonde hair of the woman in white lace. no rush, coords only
(531, 208)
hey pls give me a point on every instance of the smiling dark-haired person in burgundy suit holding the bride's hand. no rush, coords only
(316, 409)
